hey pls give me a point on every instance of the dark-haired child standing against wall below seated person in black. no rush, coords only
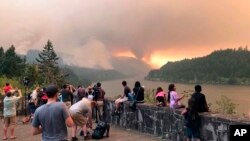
(192, 121)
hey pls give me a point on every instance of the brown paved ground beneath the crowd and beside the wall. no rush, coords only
(23, 133)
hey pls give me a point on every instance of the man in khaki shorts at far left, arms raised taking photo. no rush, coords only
(9, 112)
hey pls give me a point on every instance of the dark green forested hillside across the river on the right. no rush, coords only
(230, 66)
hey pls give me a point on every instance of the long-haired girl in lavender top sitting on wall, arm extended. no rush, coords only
(174, 97)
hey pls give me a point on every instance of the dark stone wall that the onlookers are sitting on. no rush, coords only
(167, 123)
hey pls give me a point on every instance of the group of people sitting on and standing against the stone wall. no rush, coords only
(196, 104)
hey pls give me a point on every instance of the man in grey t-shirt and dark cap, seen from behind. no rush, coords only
(52, 119)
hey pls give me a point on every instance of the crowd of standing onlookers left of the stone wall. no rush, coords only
(53, 110)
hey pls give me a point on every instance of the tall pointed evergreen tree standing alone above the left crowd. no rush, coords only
(48, 65)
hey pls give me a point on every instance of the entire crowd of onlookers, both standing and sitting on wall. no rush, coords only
(53, 110)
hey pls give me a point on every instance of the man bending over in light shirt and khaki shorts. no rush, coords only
(81, 113)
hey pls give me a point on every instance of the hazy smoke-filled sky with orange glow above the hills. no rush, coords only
(89, 32)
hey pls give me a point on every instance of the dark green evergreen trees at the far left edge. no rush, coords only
(11, 64)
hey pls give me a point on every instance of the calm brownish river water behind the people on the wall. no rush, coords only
(239, 95)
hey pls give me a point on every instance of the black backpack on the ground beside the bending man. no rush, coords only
(100, 129)
